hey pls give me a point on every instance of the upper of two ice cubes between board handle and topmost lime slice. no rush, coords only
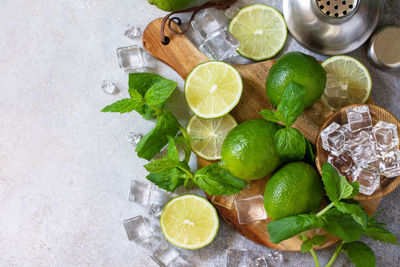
(207, 23)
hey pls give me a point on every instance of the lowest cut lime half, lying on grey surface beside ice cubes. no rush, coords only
(189, 222)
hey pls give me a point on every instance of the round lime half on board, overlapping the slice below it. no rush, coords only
(213, 89)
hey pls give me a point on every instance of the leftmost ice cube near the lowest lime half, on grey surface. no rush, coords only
(138, 230)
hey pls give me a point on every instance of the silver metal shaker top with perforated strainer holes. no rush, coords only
(331, 27)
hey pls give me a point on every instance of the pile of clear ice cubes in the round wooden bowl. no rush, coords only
(362, 151)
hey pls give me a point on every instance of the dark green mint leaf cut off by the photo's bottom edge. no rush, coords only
(360, 254)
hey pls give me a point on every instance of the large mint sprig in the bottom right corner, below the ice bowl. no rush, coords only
(343, 217)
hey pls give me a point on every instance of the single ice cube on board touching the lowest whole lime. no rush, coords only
(250, 209)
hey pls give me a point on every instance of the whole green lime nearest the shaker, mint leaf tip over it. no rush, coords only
(301, 69)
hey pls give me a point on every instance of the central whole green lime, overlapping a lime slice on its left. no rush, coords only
(248, 151)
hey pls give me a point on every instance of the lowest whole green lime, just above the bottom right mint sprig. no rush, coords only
(294, 189)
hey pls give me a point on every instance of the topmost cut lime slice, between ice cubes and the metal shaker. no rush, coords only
(261, 30)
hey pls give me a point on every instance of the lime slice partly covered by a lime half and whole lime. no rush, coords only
(209, 134)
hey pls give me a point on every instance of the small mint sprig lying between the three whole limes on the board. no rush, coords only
(290, 143)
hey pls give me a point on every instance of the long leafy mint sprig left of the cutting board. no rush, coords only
(148, 95)
